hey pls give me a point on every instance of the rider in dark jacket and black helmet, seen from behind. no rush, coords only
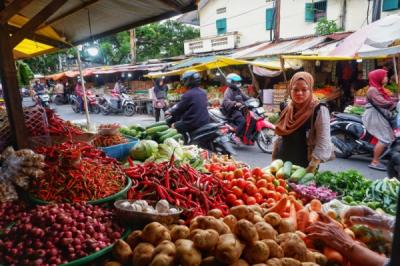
(191, 112)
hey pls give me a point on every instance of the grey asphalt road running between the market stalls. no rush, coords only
(252, 155)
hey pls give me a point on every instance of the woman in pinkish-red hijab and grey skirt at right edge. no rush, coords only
(377, 115)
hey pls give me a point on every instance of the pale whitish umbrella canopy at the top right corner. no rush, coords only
(377, 39)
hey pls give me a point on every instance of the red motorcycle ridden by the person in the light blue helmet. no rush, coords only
(262, 131)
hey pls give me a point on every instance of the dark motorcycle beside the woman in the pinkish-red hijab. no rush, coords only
(350, 137)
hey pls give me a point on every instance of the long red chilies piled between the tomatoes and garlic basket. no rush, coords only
(196, 193)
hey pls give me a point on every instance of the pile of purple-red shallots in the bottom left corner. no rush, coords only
(56, 234)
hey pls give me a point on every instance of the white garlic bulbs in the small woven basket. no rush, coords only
(162, 207)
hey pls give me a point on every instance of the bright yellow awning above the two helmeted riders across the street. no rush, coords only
(217, 62)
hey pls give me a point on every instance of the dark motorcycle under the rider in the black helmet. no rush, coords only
(212, 137)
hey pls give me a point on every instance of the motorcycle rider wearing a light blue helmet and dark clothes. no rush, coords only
(233, 100)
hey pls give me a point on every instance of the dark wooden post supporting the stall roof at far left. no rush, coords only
(12, 94)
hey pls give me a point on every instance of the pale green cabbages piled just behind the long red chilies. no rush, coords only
(150, 151)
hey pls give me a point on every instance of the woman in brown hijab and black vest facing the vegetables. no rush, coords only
(303, 127)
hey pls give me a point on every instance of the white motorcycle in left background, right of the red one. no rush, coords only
(117, 103)
